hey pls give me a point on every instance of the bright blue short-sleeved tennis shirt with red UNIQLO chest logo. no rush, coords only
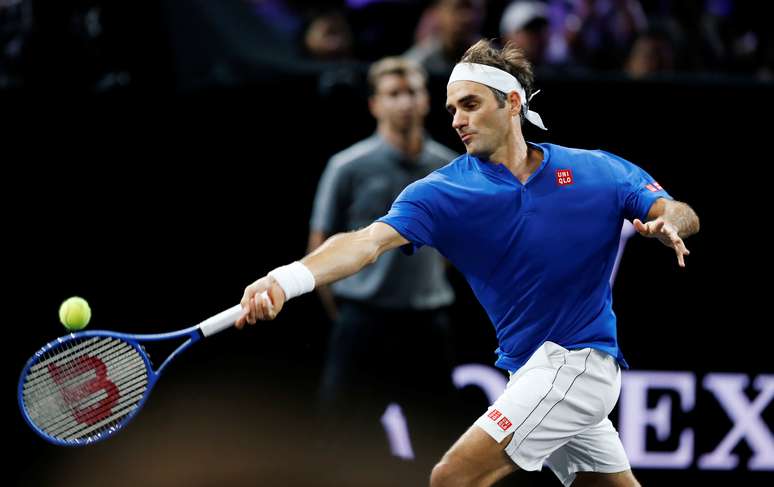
(537, 255)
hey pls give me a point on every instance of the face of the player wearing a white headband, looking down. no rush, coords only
(480, 122)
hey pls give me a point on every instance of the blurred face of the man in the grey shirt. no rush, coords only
(401, 101)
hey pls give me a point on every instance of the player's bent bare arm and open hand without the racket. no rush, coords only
(670, 222)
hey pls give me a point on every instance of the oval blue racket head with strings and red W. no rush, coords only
(84, 387)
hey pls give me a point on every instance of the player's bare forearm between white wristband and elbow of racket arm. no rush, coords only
(341, 256)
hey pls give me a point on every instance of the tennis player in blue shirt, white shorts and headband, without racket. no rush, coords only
(534, 228)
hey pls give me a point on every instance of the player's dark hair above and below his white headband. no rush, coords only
(510, 59)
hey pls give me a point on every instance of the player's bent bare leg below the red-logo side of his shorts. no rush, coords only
(475, 459)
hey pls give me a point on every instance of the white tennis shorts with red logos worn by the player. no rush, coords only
(556, 406)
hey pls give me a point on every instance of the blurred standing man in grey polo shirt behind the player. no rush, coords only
(389, 342)
